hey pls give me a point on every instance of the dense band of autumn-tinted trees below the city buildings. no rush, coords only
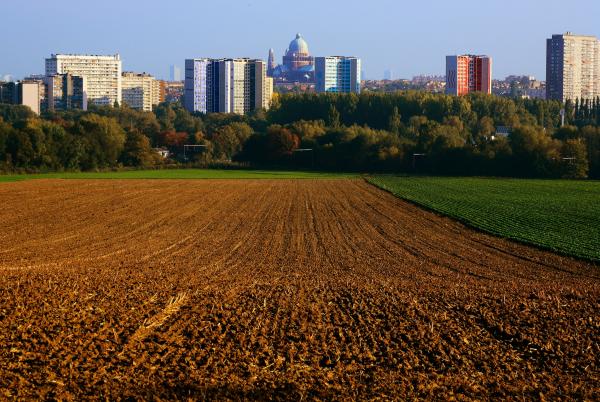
(409, 132)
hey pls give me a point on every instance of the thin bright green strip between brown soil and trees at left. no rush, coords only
(180, 174)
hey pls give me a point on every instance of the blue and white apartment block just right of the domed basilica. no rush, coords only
(337, 74)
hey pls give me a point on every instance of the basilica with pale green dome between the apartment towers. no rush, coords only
(298, 65)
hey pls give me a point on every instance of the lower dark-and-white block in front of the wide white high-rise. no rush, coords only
(65, 91)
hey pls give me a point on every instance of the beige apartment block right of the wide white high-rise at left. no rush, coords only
(140, 91)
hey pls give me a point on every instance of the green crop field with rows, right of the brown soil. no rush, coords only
(560, 215)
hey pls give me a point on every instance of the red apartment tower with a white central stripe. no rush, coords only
(468, 73)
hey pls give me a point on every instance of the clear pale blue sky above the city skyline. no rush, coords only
(407, 37)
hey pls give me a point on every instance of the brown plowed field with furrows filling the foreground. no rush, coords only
(292, 289)
